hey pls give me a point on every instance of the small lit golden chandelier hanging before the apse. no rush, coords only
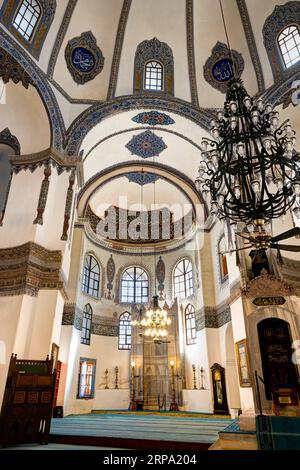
(154, 322)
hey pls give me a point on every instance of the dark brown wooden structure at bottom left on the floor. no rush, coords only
(28, 400)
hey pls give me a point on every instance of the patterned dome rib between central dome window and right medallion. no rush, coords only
(191, 51)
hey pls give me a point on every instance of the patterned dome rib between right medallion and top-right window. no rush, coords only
(246, 22)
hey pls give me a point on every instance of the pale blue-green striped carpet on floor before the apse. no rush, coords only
(140, 427)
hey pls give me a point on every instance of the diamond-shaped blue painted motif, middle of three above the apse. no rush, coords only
(146, 145)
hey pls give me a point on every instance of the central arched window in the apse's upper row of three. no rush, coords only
(134, 286)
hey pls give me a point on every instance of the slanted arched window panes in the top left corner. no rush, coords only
(27, 18)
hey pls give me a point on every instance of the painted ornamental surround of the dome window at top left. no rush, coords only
(34, 46)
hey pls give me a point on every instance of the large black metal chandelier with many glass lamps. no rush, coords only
(250, 167)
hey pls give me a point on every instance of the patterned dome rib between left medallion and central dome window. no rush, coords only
(114, 72)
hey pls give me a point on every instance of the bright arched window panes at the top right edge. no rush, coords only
(289, 43)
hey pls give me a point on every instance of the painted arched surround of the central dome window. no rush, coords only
(158, 51)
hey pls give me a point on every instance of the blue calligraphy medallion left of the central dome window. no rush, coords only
(84, 58)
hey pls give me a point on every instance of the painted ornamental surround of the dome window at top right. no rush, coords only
(281, 17)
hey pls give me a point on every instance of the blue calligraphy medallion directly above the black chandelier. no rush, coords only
(219, 68)
